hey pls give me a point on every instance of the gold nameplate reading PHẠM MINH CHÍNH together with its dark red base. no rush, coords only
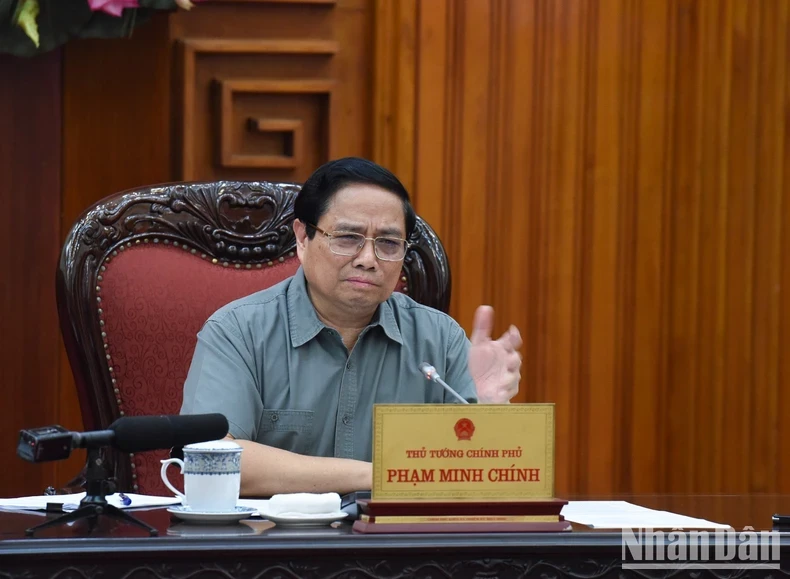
(454, 468)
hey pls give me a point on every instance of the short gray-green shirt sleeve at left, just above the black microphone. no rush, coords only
(222, 378)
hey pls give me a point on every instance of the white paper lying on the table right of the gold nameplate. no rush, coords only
(622, 514)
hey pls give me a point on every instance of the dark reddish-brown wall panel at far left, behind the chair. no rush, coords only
(30, 177)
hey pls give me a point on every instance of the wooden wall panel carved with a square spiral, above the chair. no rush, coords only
(274, 91)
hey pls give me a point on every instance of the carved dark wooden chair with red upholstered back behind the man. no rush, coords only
(142, 270)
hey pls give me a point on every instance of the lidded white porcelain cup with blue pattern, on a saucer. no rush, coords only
(212, 476)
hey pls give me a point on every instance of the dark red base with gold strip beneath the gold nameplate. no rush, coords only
(424, 516)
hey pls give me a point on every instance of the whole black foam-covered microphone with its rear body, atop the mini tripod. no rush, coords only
(127, 434)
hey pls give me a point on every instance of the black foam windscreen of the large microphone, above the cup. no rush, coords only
(142, 433)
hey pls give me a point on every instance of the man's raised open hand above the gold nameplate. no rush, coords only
(495, 365)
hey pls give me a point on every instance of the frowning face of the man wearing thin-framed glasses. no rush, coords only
(352, 284)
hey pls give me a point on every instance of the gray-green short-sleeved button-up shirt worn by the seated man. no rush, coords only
(284, 379)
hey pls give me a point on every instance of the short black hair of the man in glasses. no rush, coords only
(313, 200)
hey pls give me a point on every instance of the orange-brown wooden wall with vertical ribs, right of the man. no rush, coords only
(611, 176)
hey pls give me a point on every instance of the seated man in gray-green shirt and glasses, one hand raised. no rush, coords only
(297, 368)
